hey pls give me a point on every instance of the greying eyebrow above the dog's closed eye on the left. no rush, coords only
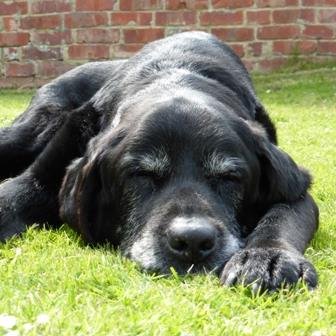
(157, 162)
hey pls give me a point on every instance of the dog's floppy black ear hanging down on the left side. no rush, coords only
(87, 204)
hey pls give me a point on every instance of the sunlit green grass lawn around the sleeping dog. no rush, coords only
(88, 291)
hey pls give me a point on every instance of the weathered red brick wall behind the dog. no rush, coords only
(41, 39)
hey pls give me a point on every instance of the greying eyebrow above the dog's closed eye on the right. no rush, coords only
(216, 164)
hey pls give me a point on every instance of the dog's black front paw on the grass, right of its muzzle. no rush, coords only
(268, 269)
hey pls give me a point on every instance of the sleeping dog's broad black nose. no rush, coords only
(191, 239)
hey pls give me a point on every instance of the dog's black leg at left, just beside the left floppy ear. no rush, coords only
(32, 197)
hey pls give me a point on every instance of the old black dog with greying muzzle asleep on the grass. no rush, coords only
(168, 155)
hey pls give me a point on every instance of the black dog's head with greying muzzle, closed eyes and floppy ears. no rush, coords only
(171, 181)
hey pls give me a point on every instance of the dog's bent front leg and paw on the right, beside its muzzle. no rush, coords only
(273, 255)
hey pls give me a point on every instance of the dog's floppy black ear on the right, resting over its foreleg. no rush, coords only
(281, 179)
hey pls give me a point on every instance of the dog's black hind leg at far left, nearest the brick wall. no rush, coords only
(30, 133)
